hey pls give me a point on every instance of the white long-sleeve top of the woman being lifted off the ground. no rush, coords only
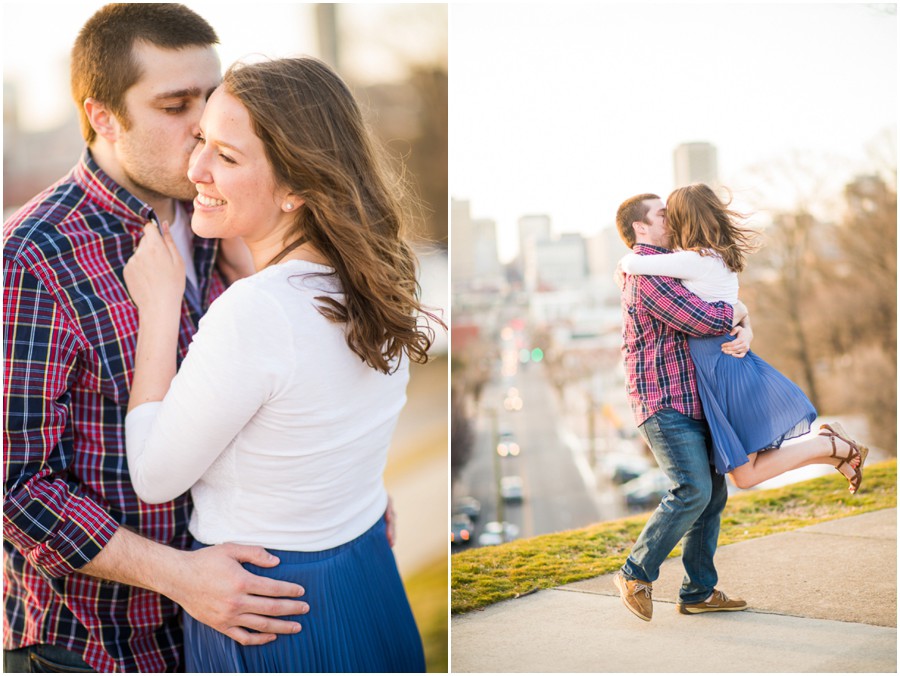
(704, 275)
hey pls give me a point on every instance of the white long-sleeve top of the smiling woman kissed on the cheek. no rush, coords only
(279, 430)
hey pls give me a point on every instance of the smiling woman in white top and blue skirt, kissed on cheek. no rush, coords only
(280, 417)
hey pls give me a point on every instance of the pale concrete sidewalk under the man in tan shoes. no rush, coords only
(822, 599)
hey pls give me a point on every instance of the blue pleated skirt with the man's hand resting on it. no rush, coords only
(359, 618)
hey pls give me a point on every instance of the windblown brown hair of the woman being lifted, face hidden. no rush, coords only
(700, 221)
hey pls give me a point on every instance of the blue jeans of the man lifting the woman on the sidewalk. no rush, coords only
(691, 510)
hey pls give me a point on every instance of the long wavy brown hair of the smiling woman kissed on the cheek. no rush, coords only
(319, 147)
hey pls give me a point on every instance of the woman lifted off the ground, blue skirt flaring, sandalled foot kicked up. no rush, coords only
(751, 408)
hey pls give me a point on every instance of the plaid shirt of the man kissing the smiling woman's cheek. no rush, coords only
(69, 332)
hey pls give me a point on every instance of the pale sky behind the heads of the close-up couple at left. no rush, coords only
(379, 41)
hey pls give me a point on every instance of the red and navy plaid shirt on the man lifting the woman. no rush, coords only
(658, 314)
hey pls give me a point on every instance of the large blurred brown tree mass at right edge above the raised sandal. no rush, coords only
(823, 298)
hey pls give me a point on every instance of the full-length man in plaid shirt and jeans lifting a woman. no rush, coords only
(658, 313)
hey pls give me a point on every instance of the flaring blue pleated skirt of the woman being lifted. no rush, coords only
(749, 405)
